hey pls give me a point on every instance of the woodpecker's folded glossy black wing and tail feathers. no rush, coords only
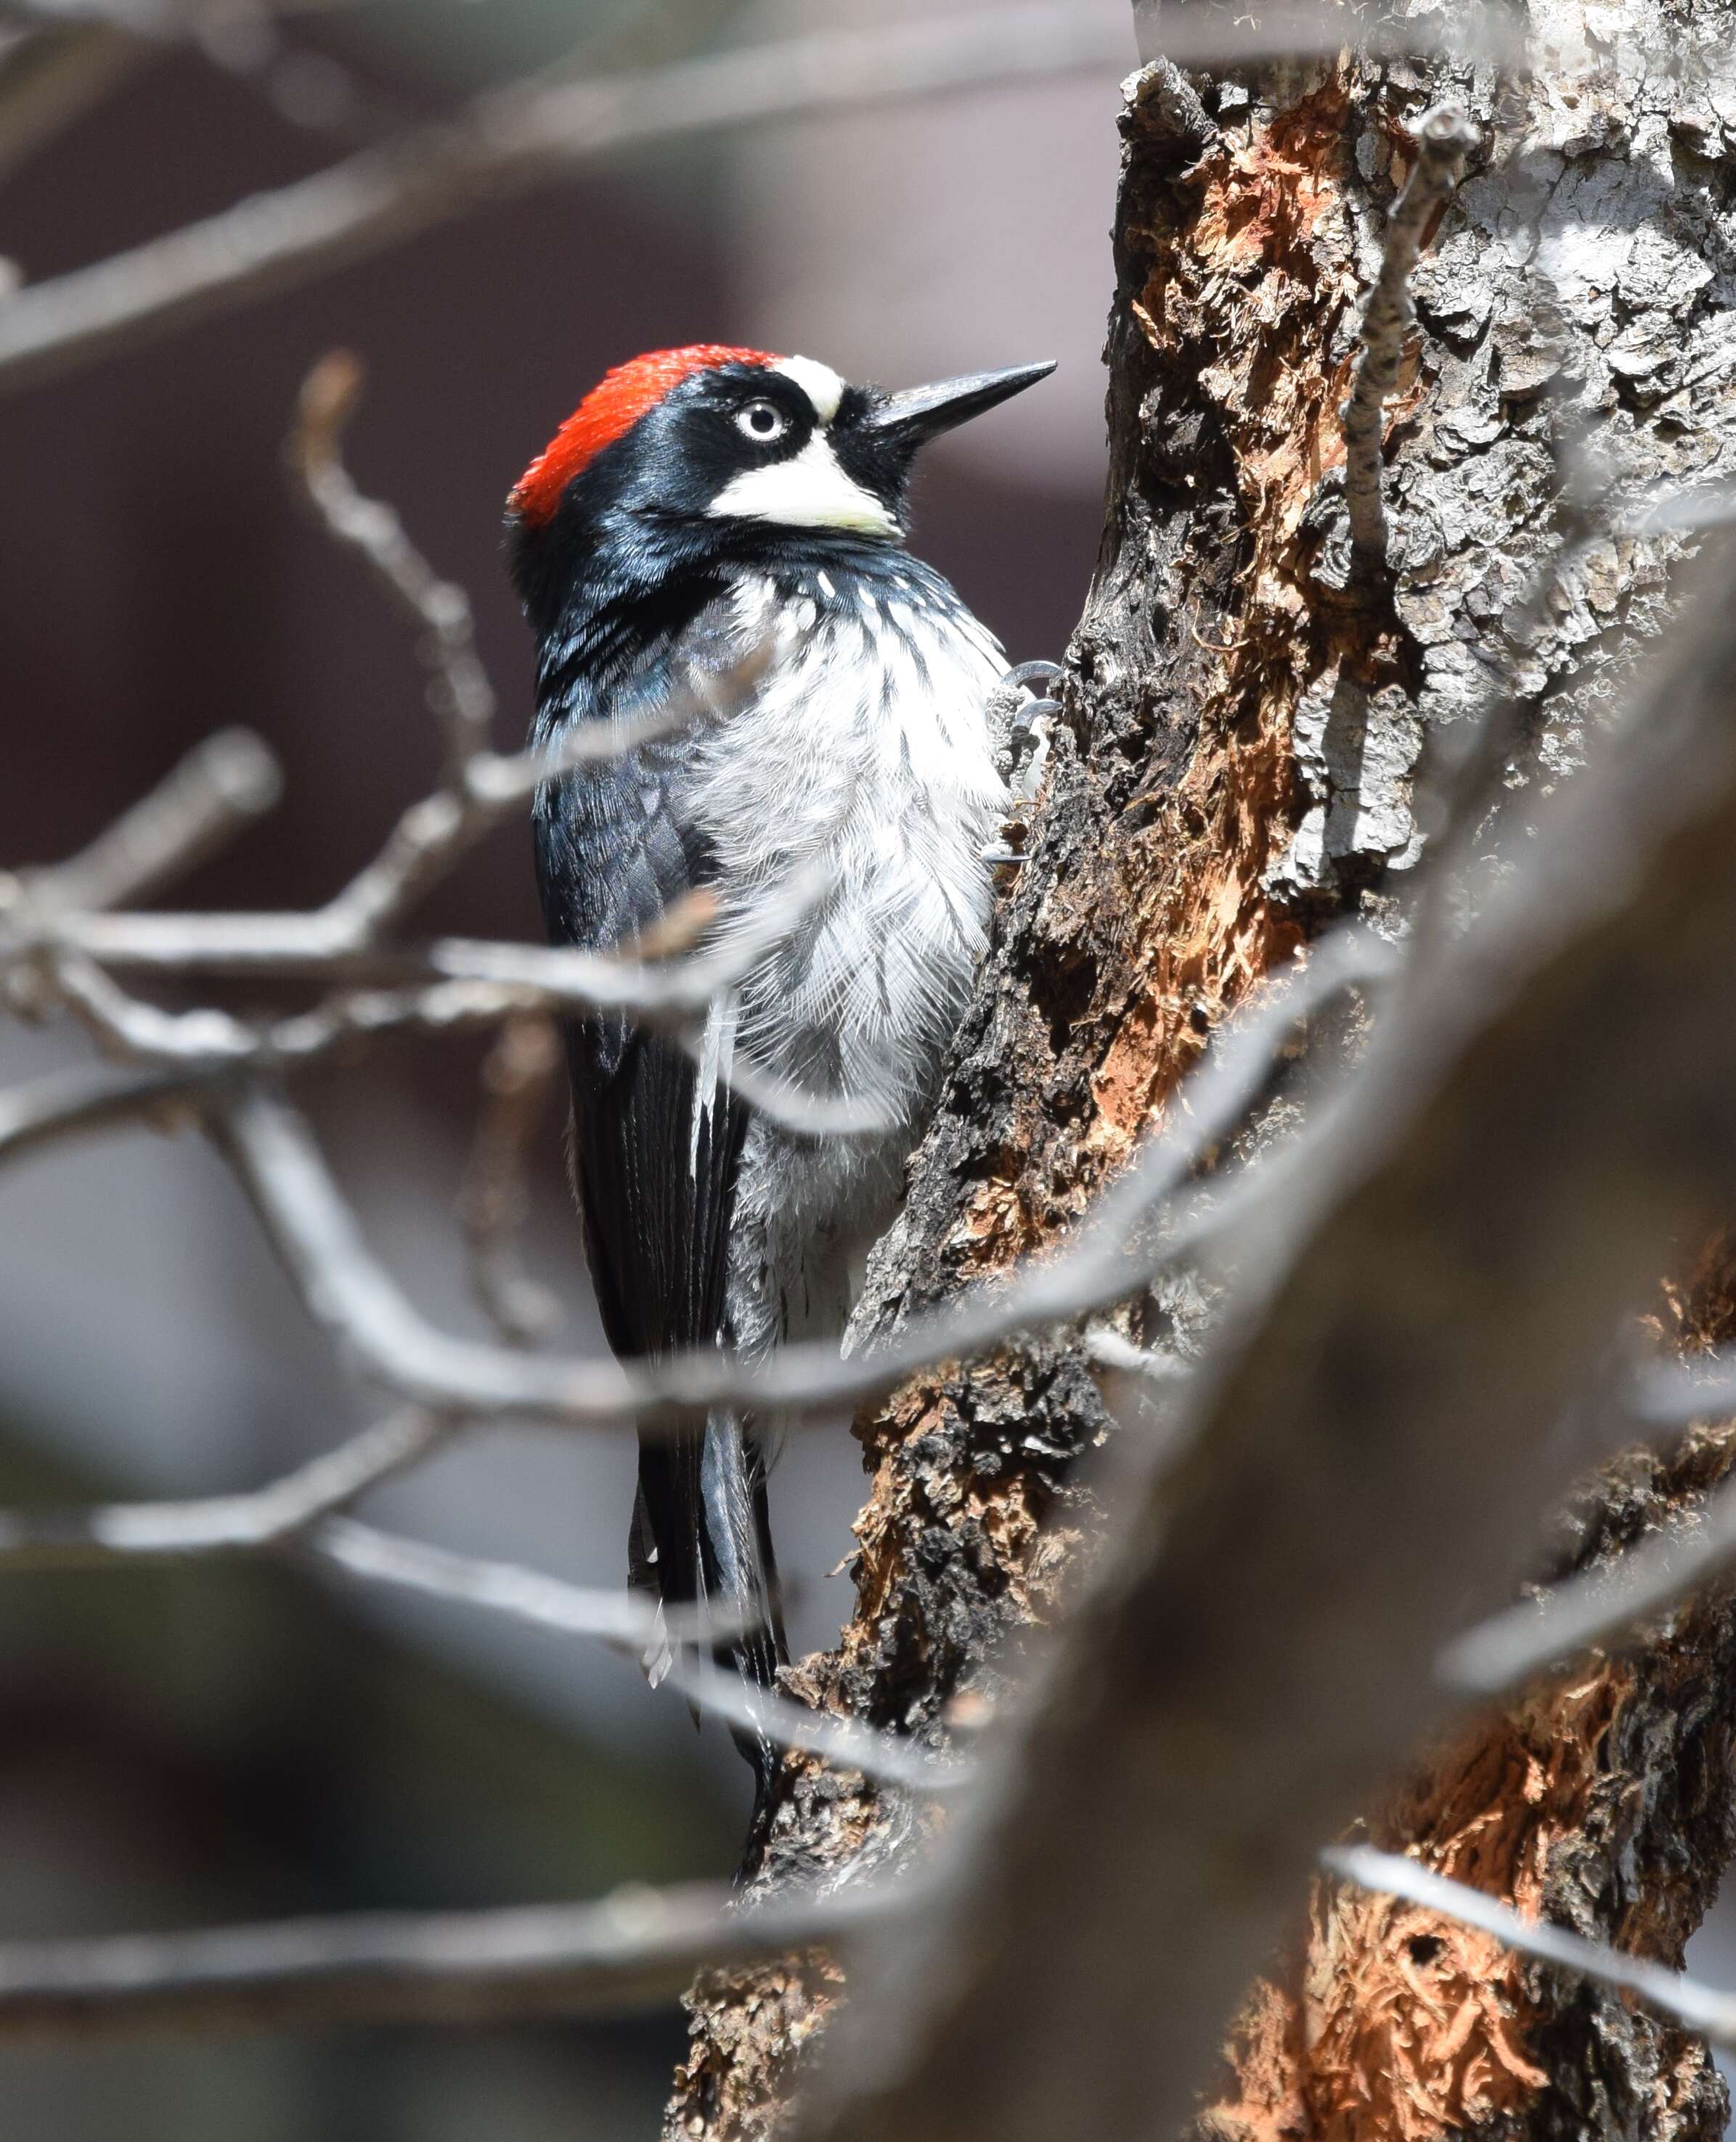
(656, 1190)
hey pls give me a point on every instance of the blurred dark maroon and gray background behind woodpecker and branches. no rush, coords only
(241, 1743)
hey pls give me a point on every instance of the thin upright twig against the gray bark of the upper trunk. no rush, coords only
(1444, 140)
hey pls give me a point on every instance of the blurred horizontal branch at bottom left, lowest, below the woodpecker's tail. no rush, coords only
(633, 1950)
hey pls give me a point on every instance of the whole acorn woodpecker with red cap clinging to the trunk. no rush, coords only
(705, 511)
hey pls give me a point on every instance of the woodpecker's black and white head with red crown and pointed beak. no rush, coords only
(699, 447)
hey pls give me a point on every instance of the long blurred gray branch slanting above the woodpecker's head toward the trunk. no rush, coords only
(508, 142)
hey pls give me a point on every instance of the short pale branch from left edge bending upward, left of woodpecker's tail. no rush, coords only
(226, 1524)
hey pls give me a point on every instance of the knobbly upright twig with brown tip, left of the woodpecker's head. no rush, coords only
(459, 689)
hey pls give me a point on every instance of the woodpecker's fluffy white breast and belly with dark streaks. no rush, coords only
(868, 753)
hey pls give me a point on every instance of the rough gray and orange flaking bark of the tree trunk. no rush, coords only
(1245, 727)
